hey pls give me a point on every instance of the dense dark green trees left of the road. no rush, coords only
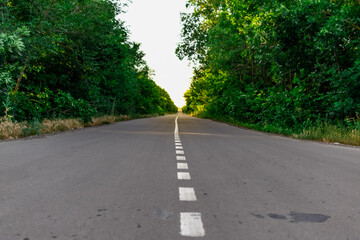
(72, 58)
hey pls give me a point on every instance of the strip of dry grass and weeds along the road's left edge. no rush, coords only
(12, 130)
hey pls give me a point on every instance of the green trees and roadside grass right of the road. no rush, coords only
(290, 67)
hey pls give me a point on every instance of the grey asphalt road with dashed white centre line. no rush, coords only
(121, 182)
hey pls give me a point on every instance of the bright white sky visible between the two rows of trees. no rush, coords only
(156, 25)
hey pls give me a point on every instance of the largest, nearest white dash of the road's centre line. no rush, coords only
(191, 224)
